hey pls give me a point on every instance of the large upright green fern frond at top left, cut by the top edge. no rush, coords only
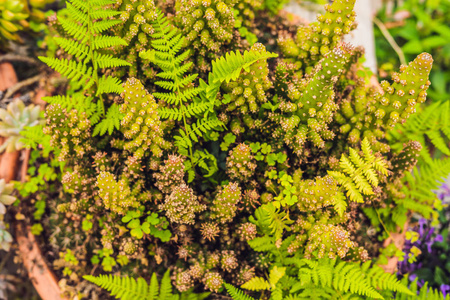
(86, 26)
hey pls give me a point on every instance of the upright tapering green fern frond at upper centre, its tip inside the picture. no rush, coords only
(167, 43)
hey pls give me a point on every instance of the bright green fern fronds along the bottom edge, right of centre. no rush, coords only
(324, 278)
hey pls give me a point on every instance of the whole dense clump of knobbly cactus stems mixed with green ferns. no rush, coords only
(223, 165)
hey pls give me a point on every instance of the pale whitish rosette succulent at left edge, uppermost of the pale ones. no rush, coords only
(13, 119)
